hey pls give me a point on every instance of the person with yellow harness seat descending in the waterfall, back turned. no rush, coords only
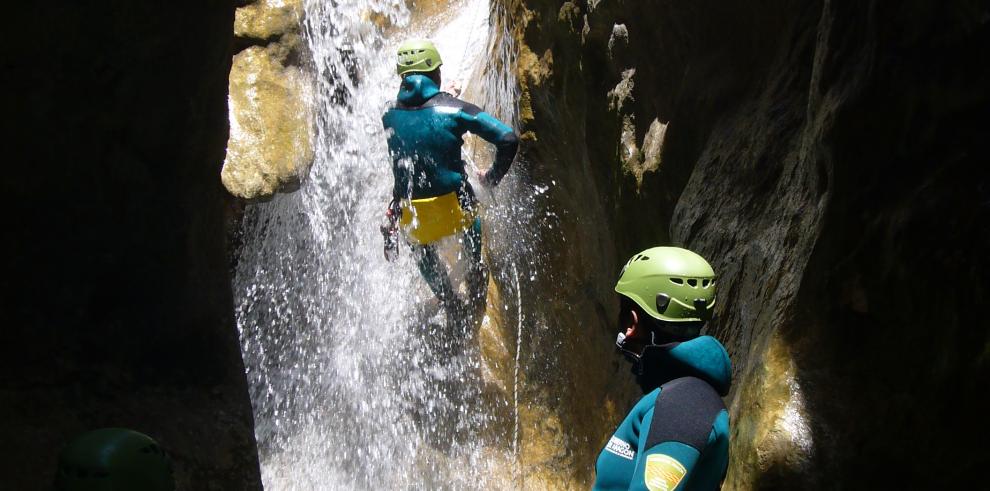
(431, 195)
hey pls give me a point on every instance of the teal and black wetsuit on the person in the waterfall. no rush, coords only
(425, 129)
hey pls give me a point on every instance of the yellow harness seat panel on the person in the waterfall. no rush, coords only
(435, 218)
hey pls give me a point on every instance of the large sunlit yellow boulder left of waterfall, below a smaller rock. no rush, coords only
(270, 147)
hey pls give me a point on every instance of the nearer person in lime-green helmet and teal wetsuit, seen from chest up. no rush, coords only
(677, 435)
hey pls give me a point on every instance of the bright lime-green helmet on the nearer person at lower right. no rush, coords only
(670, 284)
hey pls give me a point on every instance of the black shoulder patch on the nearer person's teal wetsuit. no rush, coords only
(684, 412)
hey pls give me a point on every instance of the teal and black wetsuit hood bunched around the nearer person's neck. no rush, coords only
(702, 357)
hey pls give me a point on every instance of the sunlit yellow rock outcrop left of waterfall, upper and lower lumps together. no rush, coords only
(271, 124)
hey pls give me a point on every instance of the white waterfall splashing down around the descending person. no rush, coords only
(347, 358)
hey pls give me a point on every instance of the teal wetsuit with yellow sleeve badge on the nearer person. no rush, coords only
(643, 455)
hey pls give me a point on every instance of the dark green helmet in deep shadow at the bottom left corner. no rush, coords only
(113, 459)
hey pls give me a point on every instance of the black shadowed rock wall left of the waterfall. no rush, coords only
(116, 297)
